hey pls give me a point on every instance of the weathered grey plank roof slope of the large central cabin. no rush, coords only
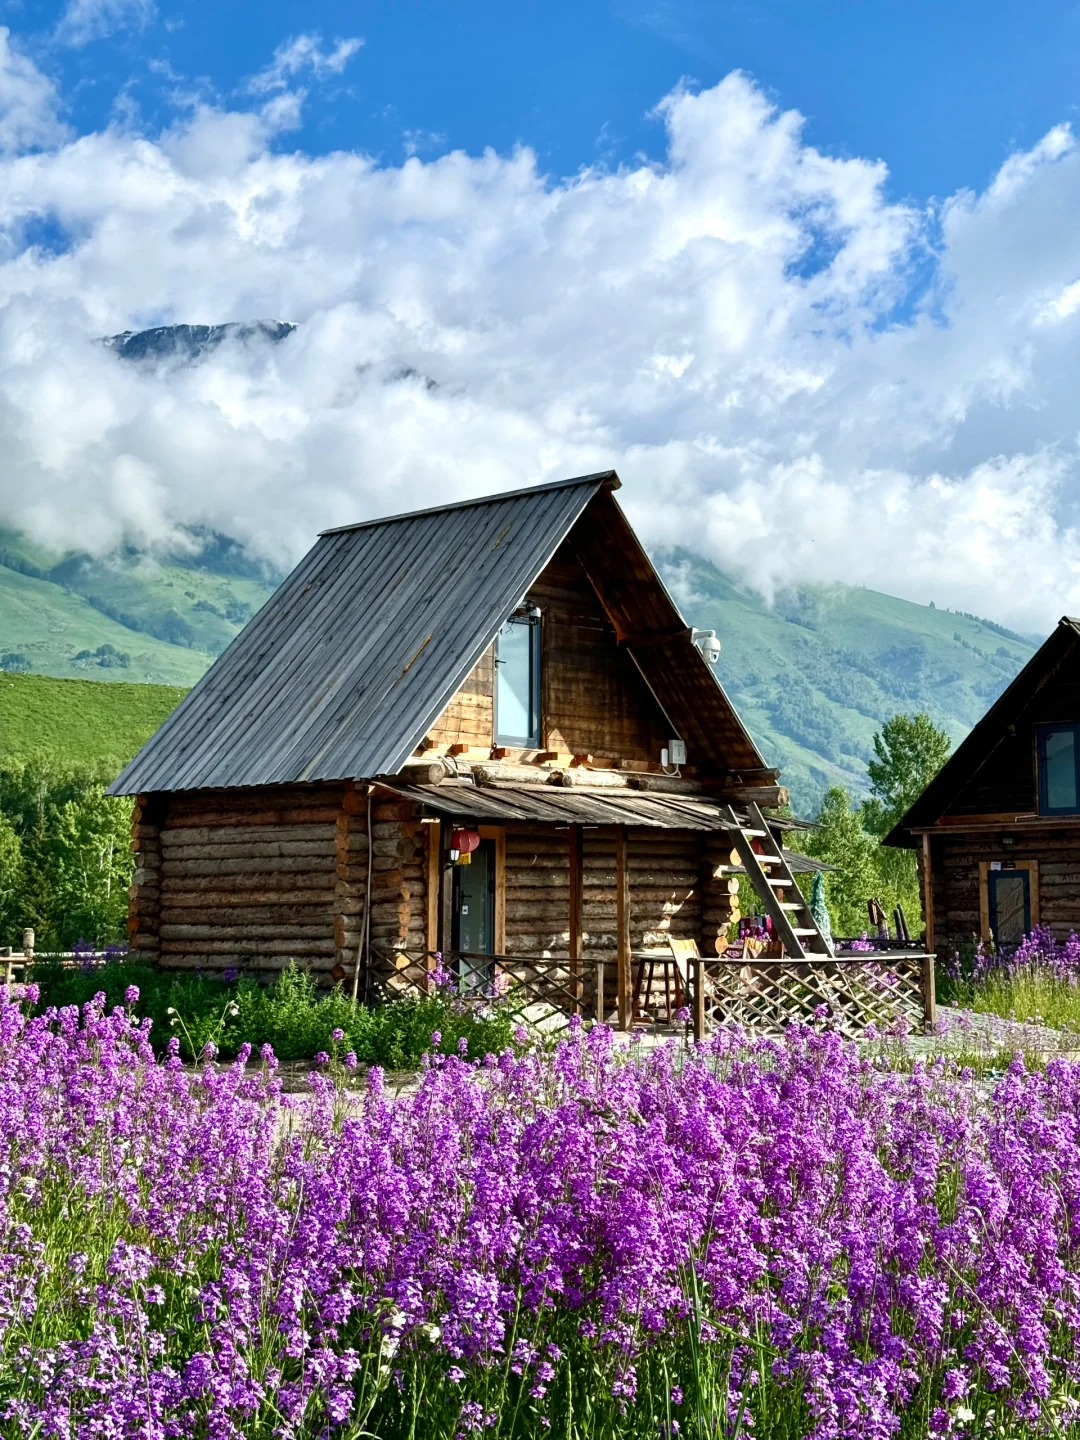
(362, 649)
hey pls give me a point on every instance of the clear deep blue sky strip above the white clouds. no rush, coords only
(942, 90)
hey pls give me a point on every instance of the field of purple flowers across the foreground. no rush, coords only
(773, 1239)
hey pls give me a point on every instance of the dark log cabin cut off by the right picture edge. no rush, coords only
(997, 833)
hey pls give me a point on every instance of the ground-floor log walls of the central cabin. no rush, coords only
(254, 879)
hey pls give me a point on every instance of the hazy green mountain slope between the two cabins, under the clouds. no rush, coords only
(817, 673)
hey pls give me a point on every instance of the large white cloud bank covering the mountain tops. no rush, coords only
(721, 328)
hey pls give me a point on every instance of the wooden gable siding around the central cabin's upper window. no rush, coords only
(594, 699)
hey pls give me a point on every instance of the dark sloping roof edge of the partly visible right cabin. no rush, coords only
(981, 742)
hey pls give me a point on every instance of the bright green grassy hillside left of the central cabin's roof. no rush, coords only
(83, 722)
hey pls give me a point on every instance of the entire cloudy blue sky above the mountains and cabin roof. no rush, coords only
(807, 276)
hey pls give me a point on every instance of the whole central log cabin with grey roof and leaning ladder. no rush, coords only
(482, 731)
